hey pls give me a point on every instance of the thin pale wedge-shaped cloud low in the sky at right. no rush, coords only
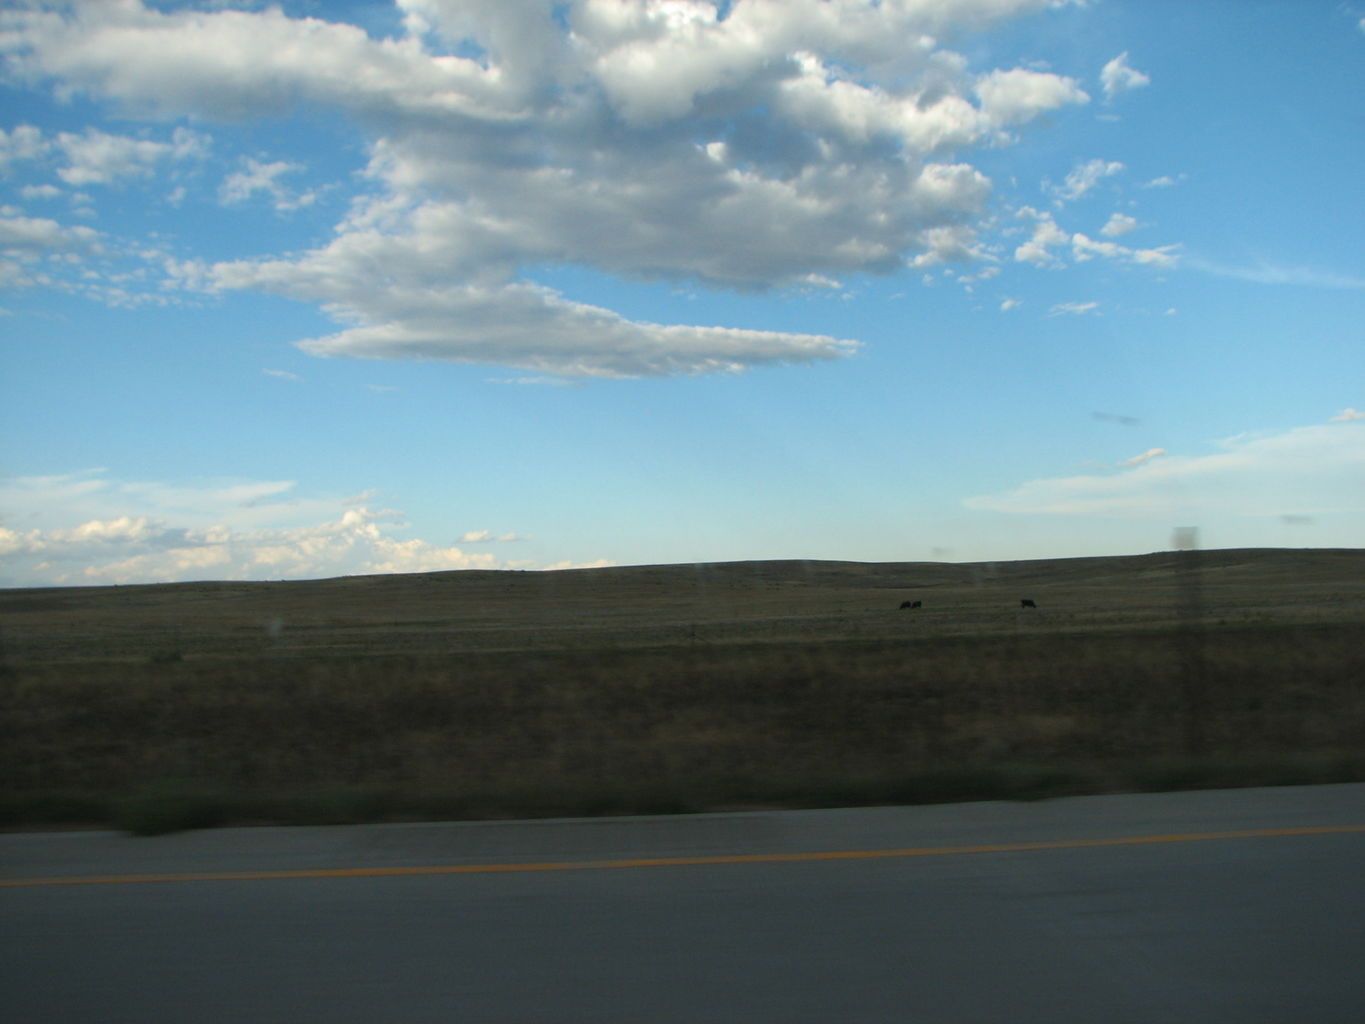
(1307, 472)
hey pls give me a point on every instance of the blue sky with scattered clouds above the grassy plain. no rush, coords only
(309, 290)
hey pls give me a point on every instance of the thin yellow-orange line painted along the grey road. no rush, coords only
(676, 862)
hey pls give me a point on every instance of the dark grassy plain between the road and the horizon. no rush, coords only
(678, 689)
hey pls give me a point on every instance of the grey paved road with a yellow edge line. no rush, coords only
(1240, 907)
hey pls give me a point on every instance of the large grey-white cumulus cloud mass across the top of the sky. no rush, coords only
(747, 147)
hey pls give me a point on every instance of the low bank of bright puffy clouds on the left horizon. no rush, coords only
(246, 530)
